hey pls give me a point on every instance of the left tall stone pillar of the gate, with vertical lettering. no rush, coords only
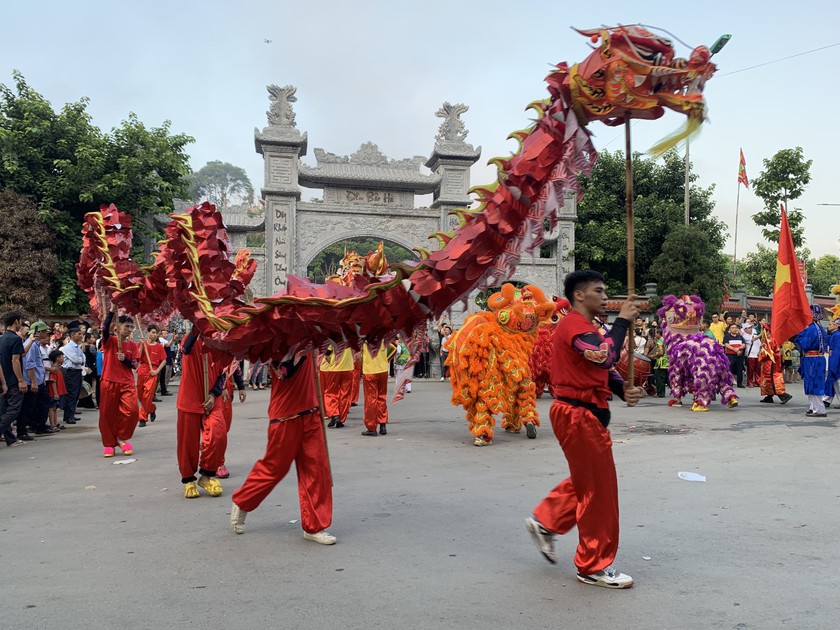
(281, 146)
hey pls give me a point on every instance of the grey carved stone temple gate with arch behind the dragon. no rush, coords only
(367, 194)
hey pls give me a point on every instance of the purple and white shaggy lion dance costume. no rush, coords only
(698, 364)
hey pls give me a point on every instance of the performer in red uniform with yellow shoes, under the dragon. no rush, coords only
(202, 433)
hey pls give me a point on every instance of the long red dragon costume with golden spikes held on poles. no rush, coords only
(632, 73)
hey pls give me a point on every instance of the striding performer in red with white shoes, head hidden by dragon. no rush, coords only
(295, 433)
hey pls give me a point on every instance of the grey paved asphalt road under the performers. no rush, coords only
(430, 528)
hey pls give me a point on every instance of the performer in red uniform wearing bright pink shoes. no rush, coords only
(118, 410)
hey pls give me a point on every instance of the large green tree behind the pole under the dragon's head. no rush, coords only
(601, 230)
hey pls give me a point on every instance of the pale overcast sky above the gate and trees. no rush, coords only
(378, 70)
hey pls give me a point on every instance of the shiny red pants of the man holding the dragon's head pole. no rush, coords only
(589, 497)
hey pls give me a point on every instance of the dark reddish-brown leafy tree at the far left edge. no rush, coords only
(27, 265)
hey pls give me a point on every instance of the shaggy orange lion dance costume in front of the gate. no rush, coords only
(489, 356)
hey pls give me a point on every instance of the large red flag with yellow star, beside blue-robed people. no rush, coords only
(791, 311)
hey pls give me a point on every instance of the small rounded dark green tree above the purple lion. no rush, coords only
(691, 263)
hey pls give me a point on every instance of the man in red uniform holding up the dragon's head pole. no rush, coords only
(582, 383)
